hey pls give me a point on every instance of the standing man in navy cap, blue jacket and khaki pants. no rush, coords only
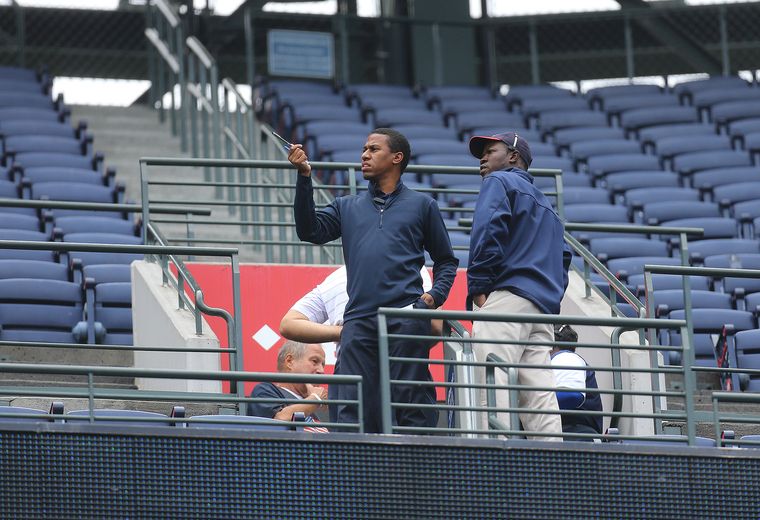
(518, 264)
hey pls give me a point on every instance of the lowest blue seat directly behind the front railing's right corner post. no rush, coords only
(708, 324)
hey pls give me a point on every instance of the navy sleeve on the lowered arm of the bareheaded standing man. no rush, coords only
(438, 244)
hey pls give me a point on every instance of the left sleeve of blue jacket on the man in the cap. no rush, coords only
(490, 232)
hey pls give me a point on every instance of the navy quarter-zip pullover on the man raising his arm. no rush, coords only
(383, 245)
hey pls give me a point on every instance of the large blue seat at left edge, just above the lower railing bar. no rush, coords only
(39, 310)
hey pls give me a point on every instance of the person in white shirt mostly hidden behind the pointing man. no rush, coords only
(318, 317)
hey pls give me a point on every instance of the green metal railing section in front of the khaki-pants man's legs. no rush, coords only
(496, 427)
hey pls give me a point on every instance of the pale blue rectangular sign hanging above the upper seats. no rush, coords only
(301, 53)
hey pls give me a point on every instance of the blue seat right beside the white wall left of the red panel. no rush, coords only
(112, 305)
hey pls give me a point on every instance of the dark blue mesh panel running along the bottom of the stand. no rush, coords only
(57, 474)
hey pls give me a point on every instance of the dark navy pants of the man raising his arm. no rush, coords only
(358, 356)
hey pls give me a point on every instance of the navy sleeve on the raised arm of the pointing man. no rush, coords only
(317, 227)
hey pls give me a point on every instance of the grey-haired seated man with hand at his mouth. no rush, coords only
(293, 358)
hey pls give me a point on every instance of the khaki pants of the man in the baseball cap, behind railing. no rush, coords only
(509, 303)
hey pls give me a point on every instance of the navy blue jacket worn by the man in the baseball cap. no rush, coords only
(517, 242)
